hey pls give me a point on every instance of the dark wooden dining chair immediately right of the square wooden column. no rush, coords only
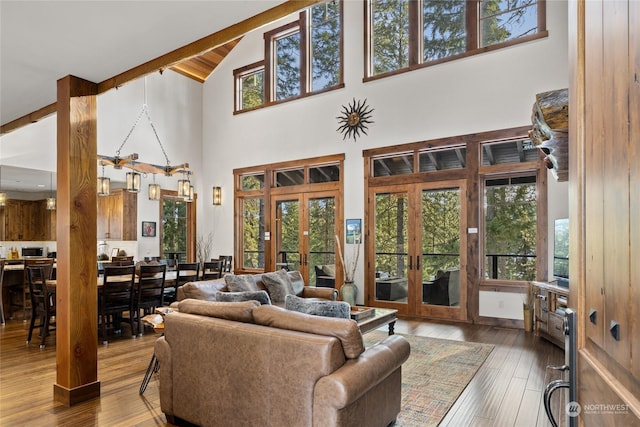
(115, 297)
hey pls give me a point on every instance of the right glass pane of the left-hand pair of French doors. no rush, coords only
(322, 260)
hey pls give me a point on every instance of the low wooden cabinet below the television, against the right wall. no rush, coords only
(550, 304)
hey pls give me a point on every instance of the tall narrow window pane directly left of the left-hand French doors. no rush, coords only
(253, 233)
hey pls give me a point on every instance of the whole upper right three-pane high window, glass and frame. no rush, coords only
(407, 34)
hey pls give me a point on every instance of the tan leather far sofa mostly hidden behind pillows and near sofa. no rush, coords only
(207, 289)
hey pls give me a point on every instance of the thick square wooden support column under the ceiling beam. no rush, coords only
(76, 293)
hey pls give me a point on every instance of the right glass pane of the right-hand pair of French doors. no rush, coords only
(441, 247)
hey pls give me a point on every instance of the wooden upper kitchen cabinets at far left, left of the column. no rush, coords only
(25, 220)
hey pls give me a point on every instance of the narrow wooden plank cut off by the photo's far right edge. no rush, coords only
(634, 181)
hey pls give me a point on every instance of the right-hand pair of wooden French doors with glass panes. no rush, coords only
(417, 246)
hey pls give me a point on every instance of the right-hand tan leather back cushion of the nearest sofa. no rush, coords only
(345, 330)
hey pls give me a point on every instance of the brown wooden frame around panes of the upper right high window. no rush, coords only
(416, 43)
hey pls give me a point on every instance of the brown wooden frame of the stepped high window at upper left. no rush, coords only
(303, 25)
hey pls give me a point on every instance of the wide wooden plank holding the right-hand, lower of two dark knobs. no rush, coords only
(616, 175)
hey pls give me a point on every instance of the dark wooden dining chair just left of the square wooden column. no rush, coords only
(43, 305)
